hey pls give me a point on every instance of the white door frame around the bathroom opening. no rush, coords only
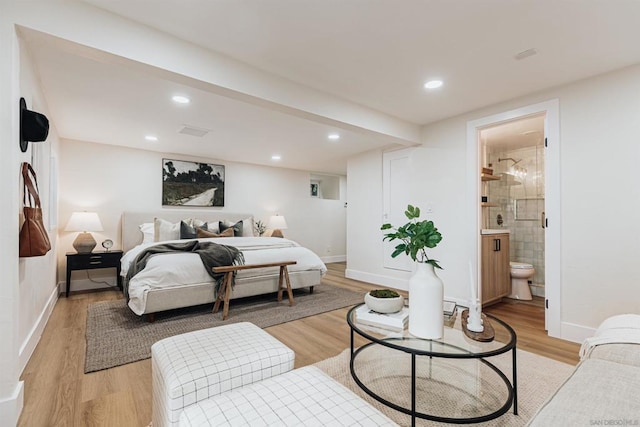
(551, 110)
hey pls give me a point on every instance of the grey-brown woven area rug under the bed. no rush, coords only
(116, 336)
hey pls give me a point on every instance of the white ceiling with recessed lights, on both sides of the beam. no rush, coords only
(375, 53)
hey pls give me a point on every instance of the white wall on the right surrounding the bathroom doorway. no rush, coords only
(600, 240)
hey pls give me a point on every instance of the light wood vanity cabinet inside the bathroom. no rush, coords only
(496, 279)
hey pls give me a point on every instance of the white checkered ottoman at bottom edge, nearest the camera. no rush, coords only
(302, 397)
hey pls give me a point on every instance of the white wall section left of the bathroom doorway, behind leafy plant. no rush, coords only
(431, 170)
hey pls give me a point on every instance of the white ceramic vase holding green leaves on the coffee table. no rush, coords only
(426, 294)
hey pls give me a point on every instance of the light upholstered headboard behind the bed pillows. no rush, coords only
(132, 236)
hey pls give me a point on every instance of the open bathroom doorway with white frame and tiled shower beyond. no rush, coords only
(521, 197)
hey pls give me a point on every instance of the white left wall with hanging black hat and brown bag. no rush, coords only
(27, 292)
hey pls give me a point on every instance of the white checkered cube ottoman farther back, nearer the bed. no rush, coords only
(192, 367)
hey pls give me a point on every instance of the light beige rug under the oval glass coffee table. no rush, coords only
(538, 378)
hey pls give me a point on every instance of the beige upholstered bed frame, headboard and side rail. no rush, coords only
(190, 295)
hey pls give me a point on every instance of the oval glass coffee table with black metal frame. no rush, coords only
(453, 379)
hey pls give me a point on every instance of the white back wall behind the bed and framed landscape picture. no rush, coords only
(110, 179)
